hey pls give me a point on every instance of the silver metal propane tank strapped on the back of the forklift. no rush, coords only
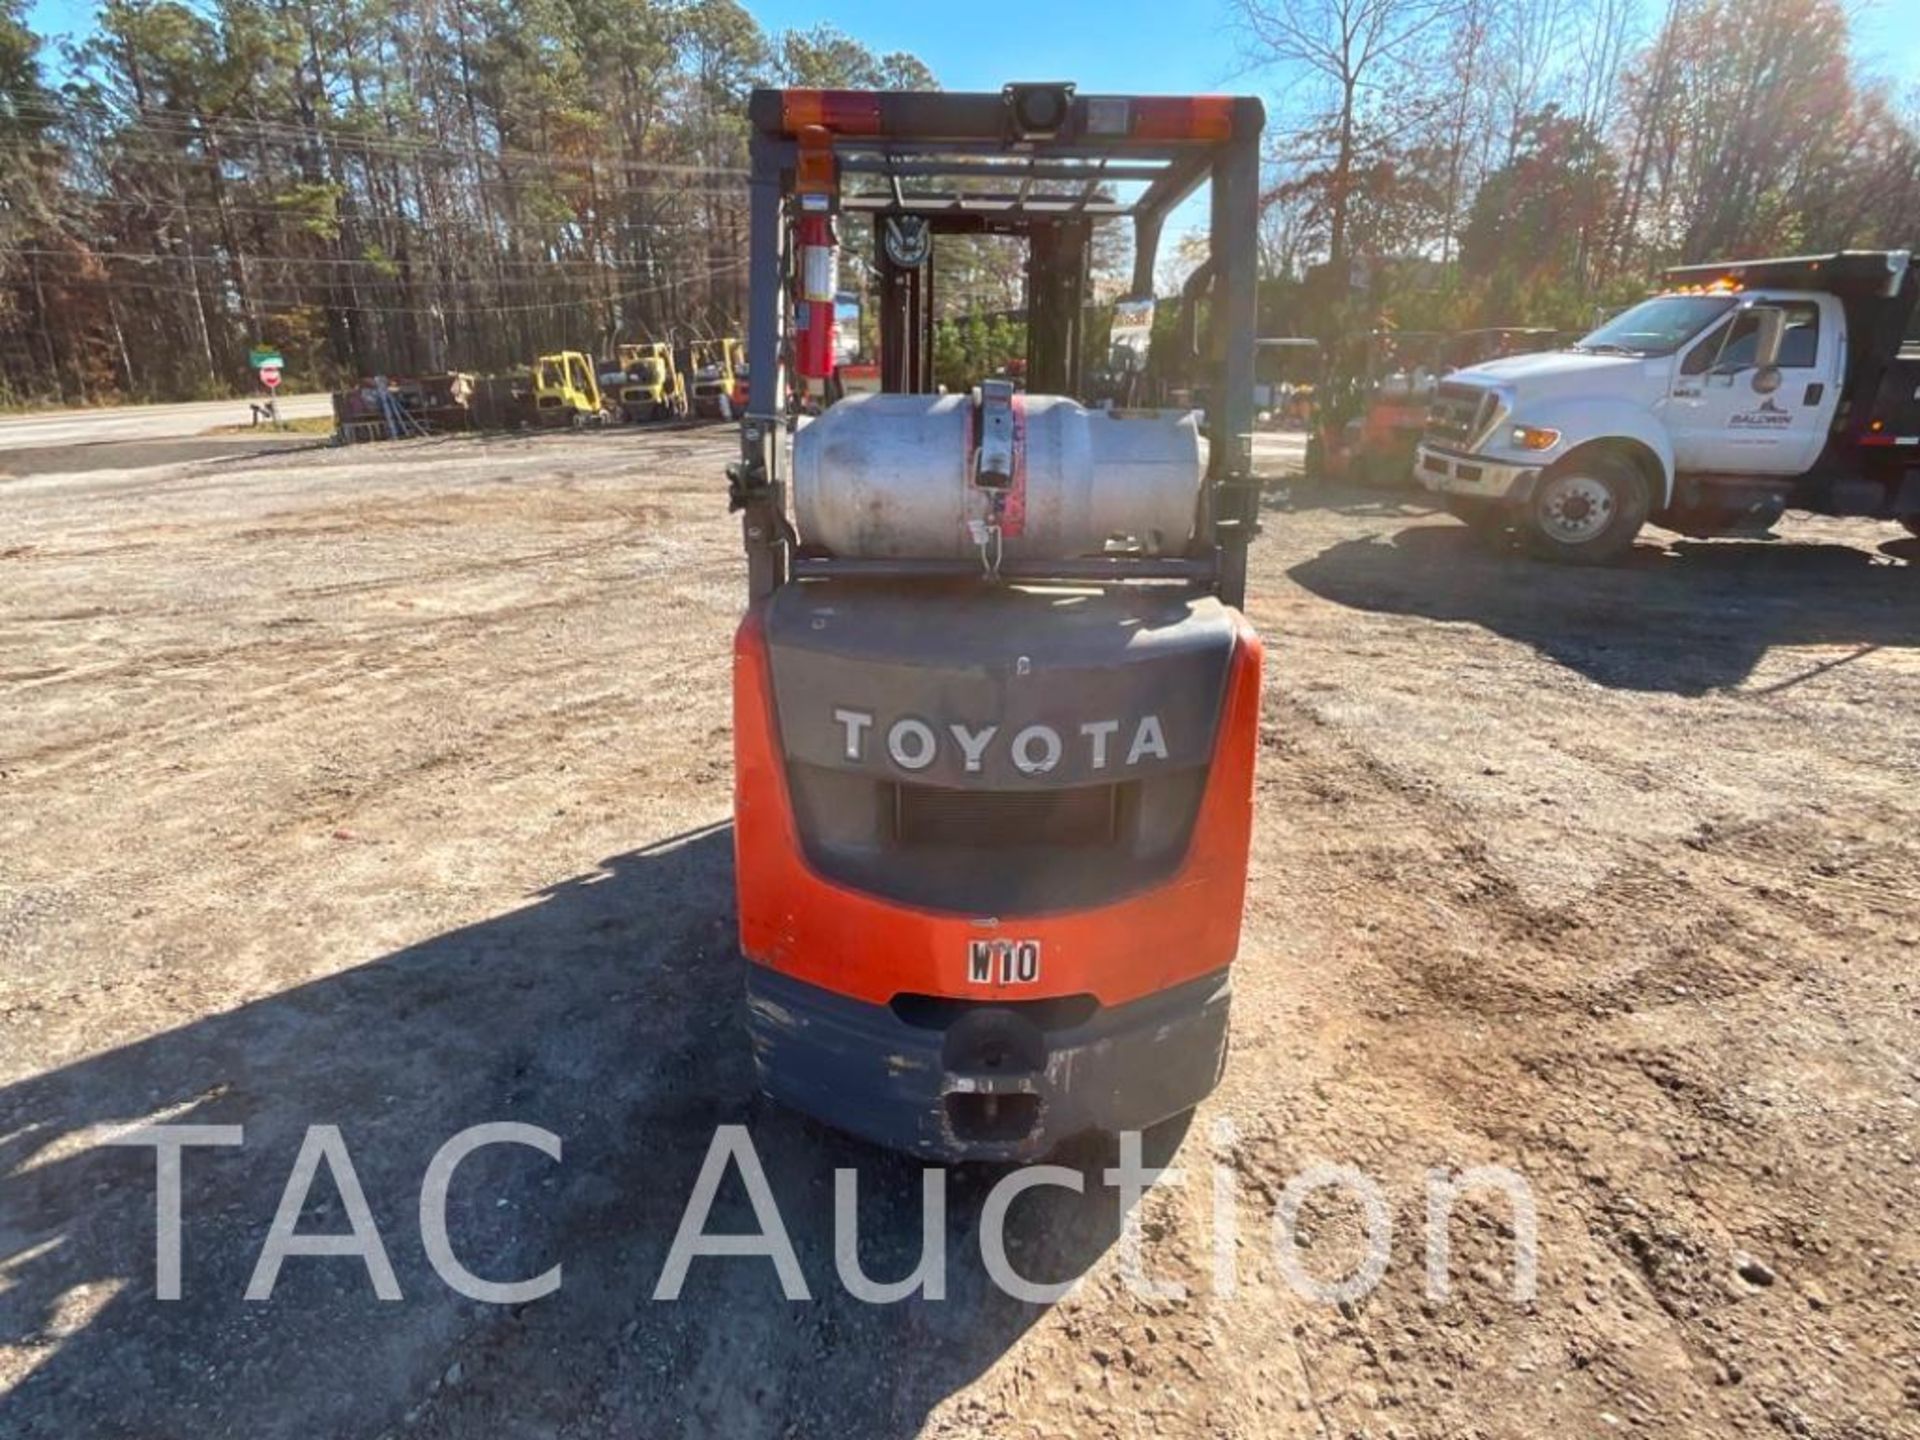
(892, 477)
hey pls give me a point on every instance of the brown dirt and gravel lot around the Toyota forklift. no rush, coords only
(389, 790)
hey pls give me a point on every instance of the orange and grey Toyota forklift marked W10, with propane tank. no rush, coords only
(996, 706)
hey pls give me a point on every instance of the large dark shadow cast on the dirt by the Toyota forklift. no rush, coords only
(608, 1013)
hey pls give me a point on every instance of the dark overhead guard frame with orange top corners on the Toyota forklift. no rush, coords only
(1042, 164)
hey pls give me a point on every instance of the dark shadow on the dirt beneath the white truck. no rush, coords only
(1687, 617)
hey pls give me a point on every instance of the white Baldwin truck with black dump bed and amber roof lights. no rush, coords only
(1742, 391)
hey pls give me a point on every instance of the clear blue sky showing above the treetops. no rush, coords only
(1103, 45)
